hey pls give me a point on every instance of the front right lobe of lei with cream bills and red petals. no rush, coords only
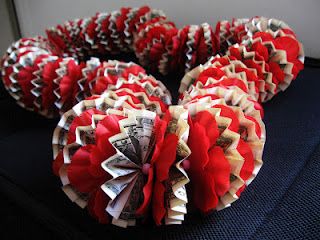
(226, 141)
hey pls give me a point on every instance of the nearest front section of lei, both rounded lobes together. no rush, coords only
(127, 164)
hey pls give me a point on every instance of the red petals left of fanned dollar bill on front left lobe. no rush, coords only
(85, 172)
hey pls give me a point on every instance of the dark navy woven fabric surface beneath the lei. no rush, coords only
(281, 203)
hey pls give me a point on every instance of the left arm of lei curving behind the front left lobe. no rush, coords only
(49, 84)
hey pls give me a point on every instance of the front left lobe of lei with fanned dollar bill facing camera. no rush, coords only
(122, 161)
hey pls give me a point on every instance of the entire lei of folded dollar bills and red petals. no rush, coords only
(121, 148)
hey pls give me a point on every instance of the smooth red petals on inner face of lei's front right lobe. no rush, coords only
(209, 169)
